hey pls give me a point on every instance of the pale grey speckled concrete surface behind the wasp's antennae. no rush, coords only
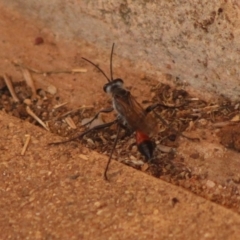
(194, 43)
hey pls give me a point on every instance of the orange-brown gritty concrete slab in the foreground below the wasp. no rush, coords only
(59, 193)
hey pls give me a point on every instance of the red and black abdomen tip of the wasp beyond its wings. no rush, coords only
(145, 145)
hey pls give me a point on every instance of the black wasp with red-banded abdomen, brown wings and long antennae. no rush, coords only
(130, 115)
